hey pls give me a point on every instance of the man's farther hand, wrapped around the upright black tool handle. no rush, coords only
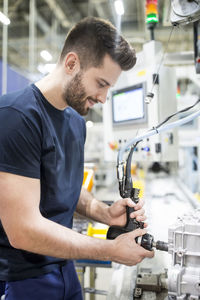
(117, 212)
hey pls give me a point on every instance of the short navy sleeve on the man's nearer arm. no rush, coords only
(20, 144)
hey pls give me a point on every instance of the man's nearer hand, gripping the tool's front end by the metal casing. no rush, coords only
(126, 251)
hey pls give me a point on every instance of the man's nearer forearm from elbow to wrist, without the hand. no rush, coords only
(49, 238)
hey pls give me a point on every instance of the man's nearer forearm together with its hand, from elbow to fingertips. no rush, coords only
(49, 238)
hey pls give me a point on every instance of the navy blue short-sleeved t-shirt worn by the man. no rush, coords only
(39, 141)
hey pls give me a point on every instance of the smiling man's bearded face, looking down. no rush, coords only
(89, 87)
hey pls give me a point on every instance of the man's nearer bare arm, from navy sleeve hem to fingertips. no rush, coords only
(27, 229)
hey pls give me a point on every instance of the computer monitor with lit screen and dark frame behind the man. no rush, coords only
(128, 105)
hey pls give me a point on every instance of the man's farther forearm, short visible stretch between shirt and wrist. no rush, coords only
(92, 208)
